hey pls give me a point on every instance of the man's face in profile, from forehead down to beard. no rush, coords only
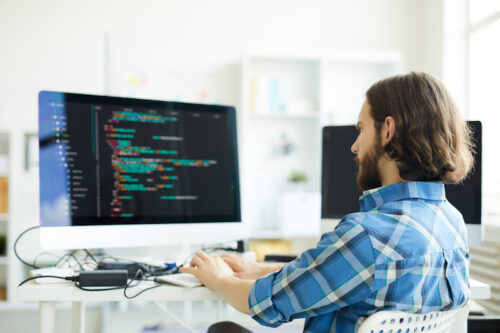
(368, 150)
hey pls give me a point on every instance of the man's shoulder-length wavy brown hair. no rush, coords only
(431, 142)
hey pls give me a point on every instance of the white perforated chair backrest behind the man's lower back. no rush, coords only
(451, 321)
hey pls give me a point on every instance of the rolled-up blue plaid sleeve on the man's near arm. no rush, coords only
(339, 271)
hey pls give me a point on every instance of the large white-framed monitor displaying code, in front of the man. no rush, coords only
(120, 172)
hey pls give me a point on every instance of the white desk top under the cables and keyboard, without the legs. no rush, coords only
(34, 292)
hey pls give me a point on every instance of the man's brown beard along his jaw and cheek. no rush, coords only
(368, 173)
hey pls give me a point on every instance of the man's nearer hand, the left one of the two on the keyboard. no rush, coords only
(210, 270)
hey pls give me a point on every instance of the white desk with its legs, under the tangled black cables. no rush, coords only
(48, 294)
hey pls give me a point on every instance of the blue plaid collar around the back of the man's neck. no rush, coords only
(375, 198)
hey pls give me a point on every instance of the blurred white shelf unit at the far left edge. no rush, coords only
(18, 204)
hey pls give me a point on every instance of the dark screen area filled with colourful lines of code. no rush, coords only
(145, 165)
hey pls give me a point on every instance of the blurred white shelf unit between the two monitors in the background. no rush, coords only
(286, 98)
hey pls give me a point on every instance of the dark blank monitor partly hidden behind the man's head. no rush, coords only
(340, 194)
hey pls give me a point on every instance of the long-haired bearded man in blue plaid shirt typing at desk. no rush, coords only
(405, 250)
